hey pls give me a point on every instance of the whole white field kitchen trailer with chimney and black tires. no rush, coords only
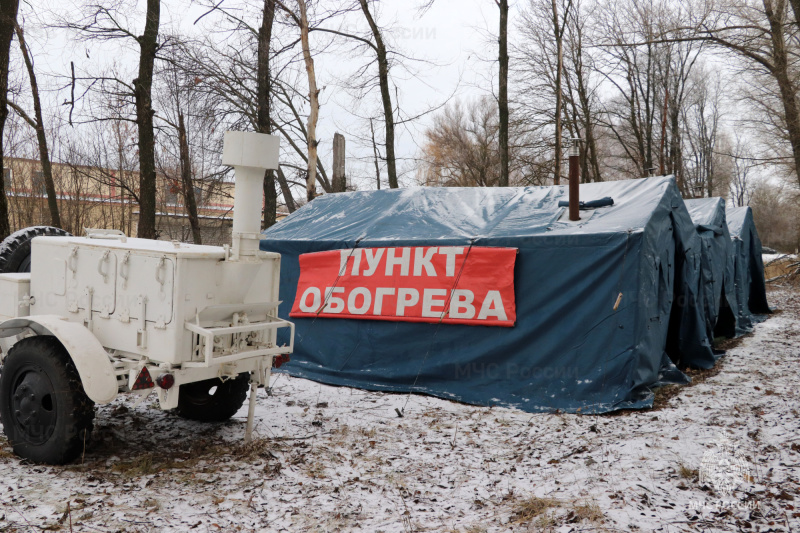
(104, 314)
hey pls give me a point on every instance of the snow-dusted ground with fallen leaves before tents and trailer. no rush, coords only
(339, 459)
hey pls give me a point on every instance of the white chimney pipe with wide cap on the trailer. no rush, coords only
(250, 154)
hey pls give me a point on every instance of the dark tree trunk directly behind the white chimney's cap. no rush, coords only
(263, 114)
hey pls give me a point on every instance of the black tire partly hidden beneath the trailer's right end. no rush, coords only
(203, 402)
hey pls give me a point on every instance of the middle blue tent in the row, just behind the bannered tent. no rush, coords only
(708, 215)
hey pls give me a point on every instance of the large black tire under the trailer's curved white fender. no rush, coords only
(45, 412)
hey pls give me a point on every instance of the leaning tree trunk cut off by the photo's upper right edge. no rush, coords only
(781, 72)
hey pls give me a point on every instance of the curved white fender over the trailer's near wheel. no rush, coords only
(90, 358)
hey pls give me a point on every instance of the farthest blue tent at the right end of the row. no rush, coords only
(751, 290)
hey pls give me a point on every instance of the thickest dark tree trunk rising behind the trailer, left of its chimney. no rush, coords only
(143, 85)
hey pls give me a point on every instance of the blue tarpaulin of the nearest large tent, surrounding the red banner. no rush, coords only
(595, 299)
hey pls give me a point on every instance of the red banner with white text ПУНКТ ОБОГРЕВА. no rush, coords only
(449, 284)
